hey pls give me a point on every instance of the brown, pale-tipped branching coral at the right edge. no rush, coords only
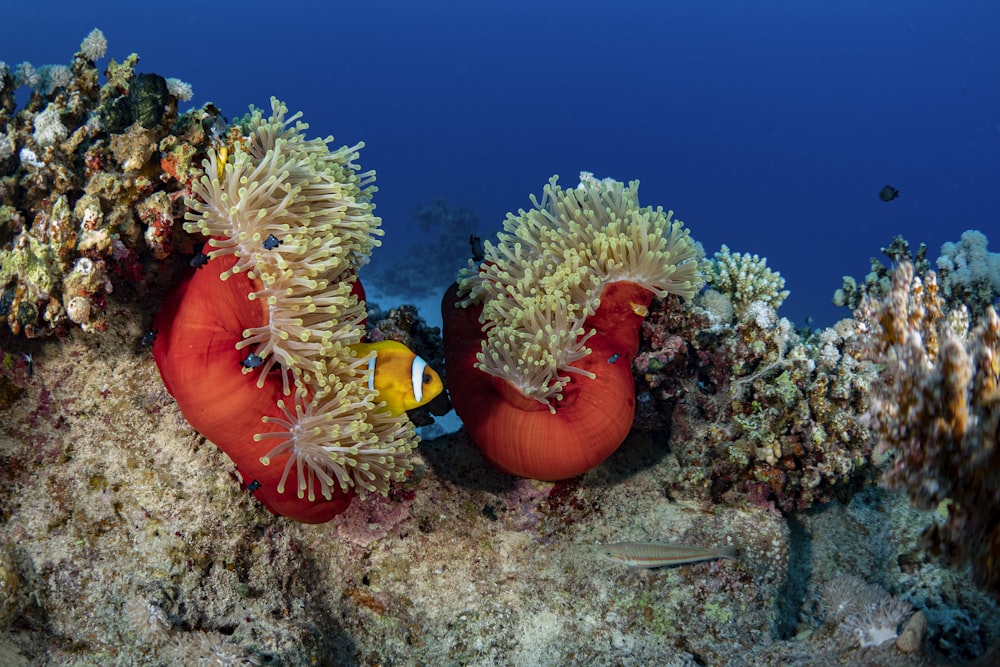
(936, 410)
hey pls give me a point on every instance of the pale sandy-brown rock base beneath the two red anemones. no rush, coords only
(113, 507)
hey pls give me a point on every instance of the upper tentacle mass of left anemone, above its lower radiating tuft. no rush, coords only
(276, 205)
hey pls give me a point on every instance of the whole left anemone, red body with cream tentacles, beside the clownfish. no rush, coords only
(260, 345)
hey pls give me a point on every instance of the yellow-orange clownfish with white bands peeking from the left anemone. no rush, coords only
(402, 379)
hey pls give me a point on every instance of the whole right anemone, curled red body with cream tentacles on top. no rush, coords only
(540, 336)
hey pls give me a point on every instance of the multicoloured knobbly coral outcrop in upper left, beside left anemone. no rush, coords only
(89, 187)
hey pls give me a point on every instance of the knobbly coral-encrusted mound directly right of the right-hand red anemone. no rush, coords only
(756, 411)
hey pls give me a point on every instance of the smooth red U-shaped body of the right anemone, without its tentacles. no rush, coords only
(522, 436)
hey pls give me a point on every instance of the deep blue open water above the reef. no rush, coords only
(769, 125)
